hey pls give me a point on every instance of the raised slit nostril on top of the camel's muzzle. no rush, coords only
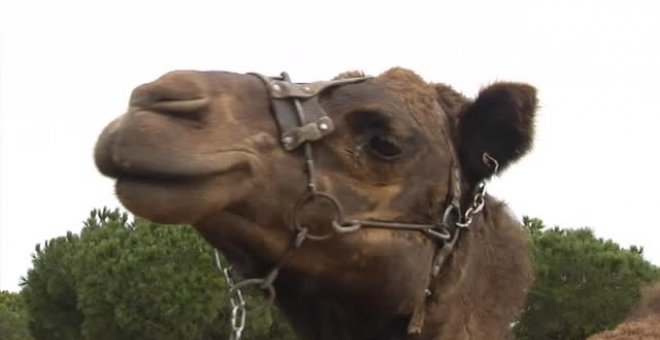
(173, 93)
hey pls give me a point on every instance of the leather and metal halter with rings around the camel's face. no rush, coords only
(301, 120)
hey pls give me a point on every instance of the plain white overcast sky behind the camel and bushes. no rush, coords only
(67, 69)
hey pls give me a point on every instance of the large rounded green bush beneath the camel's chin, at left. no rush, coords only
(133, 280)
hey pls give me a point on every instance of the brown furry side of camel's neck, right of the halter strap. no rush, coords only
(478, 294)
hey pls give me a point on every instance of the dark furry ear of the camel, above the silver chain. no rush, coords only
(500, 124)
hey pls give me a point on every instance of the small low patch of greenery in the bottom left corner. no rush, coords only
(13, 319)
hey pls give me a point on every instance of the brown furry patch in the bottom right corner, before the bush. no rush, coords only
(644, 321)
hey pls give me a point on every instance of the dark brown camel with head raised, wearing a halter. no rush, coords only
(366, 213)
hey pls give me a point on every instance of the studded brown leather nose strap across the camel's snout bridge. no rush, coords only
(297, 110)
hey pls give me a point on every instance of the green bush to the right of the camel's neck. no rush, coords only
(583, 284)
